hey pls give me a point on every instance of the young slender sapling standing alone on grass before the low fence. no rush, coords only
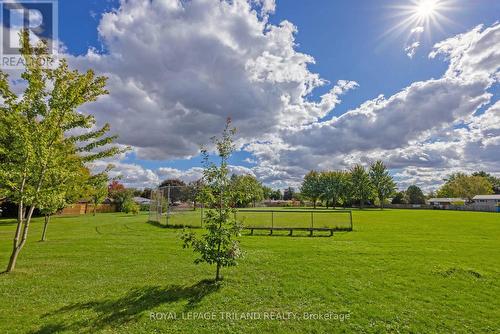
(218, 245)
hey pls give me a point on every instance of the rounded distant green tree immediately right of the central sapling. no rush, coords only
(246, 190)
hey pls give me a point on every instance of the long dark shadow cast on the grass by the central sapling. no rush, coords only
(109, 313)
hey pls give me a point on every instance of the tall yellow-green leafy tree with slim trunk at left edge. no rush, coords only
(35, 128)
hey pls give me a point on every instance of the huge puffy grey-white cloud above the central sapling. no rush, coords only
(177, 69)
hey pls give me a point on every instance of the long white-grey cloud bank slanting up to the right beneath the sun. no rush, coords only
(429, 125)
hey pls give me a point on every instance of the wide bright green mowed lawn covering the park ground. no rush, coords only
(398, 271)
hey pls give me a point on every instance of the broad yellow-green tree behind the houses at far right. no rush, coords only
(466, 186)
